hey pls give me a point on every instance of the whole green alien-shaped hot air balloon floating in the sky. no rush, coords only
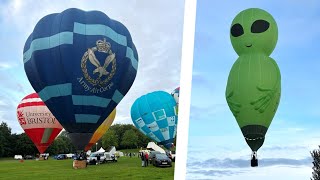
(254, 83)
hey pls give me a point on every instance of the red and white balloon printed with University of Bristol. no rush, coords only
(38, 122)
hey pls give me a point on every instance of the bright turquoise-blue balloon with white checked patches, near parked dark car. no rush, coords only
(155, 115)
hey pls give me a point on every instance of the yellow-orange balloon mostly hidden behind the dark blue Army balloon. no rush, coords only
(102, 129)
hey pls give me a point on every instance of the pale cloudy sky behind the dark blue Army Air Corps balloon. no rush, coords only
(155, 27)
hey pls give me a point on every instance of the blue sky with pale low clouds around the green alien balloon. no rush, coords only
(217, 149)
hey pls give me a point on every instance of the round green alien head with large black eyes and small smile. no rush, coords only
(254, 31)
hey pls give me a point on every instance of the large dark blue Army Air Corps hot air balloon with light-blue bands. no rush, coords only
(81, 64)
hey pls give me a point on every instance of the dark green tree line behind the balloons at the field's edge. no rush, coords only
(122, 136)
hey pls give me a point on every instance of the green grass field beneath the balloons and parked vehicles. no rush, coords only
(125, 168)
